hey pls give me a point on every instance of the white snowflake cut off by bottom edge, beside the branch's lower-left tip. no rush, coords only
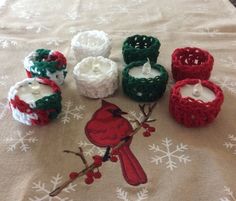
(43, 192)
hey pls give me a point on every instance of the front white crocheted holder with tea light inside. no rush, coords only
(96, 77)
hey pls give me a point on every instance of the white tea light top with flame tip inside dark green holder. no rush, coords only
(145, 71)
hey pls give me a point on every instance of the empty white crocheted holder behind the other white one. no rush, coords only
(91, 43)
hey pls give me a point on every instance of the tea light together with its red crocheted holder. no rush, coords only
(195, 102)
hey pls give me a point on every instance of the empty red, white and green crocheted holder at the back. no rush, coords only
(47, 64)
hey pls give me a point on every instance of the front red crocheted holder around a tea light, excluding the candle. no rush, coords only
(191, 112)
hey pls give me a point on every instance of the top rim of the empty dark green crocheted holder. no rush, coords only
(127, 43)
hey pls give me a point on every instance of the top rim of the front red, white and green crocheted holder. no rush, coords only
(13, 90)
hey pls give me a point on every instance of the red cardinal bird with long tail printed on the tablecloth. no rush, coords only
(106, 129)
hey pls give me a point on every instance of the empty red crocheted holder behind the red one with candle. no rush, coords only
(191, 63)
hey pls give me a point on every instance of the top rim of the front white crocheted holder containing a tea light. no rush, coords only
(79, 75)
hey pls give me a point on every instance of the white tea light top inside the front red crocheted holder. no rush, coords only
(197, 92)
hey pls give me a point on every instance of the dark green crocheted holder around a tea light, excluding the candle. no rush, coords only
(144, 89)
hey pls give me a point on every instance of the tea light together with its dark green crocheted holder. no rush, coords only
(144, 81)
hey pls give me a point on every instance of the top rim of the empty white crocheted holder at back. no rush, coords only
(106, 40)
